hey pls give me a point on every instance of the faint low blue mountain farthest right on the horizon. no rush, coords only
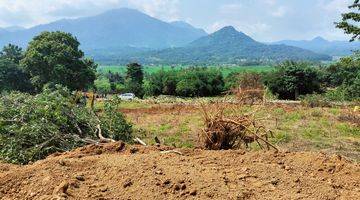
(320, 45)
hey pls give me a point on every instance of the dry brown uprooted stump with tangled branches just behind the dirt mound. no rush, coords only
(232, 132)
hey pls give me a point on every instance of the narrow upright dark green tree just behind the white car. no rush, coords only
(134, 79)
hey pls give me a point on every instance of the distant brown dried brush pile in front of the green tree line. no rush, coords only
(250, 89)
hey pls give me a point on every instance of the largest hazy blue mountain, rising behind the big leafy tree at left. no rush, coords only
(117, 28)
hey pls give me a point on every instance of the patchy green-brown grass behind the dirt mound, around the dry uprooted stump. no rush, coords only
(295, 128)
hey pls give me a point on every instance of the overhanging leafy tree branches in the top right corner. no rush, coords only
(350, 21)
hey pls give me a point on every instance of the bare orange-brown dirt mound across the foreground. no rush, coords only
(118, 171)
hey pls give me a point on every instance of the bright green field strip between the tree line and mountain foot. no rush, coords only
(224, 69)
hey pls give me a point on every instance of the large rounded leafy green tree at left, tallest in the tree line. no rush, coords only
(54, 58)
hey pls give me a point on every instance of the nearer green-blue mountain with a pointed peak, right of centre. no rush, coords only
(227, 46)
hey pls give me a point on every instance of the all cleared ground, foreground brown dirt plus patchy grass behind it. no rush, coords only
(318, 158)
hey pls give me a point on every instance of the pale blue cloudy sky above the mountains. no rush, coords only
(264, 20)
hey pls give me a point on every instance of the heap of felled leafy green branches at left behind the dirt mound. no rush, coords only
(32, 127)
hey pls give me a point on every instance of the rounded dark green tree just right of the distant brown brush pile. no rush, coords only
(292, 79)
